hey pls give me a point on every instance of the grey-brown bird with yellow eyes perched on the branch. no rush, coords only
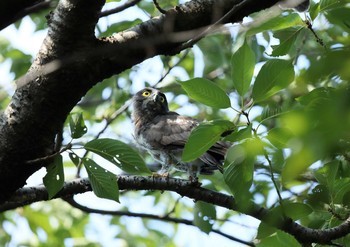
(164, 133)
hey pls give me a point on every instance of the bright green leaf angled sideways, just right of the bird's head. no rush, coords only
(206, 92)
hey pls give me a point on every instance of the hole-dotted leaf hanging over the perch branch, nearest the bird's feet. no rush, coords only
(103, 183)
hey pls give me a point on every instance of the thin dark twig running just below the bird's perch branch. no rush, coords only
(75, 204)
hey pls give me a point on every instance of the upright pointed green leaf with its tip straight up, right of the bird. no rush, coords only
(242, 68)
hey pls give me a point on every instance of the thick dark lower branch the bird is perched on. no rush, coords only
(28, 195)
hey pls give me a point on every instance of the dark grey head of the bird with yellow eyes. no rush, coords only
(150, 100)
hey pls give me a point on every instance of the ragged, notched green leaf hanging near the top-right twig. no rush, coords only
(287, 39)
